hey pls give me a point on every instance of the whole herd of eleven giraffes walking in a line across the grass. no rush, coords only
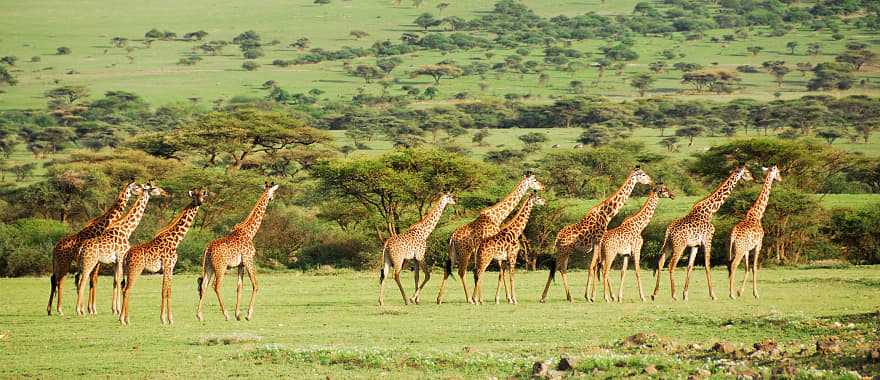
(105, 240)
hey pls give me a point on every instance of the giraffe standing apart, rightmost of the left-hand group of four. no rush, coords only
(235, 250)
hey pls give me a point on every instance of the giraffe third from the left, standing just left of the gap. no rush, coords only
(160, 254)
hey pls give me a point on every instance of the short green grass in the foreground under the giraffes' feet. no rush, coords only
(317, 326)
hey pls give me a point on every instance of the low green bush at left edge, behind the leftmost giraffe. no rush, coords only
(26, 246)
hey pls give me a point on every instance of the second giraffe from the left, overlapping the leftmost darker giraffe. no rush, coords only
(109, 247)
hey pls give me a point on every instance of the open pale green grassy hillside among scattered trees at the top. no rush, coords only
(39, 28)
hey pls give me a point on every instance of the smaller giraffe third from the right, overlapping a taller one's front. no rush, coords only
(626, 240)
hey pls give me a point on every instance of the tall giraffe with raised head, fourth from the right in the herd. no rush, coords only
(584, 235)
